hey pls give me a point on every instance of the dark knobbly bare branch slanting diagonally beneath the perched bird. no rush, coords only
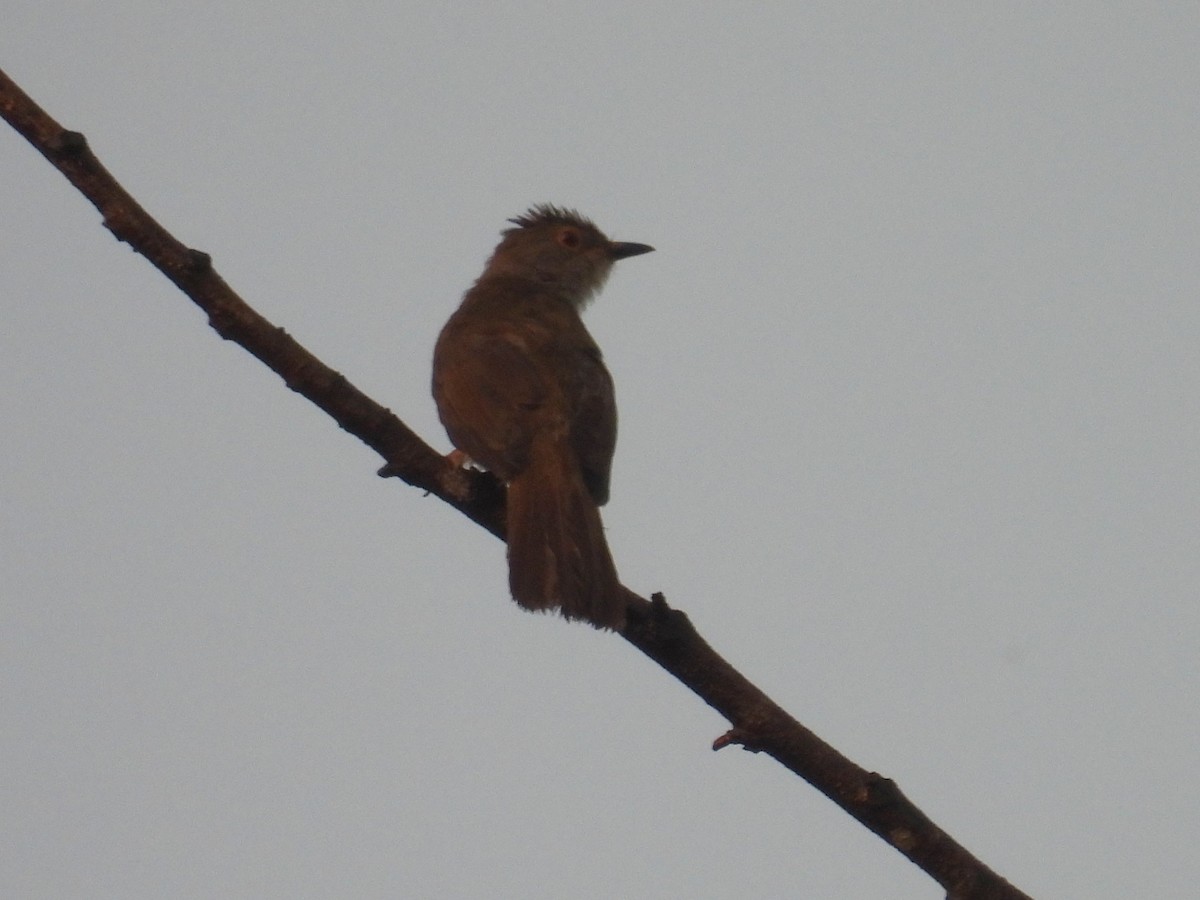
(662, 633)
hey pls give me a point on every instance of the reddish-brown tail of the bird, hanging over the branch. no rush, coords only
(559, 557)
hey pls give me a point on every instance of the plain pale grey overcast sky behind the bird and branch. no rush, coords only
(909, 428)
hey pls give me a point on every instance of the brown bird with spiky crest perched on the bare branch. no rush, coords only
(524, 392)
